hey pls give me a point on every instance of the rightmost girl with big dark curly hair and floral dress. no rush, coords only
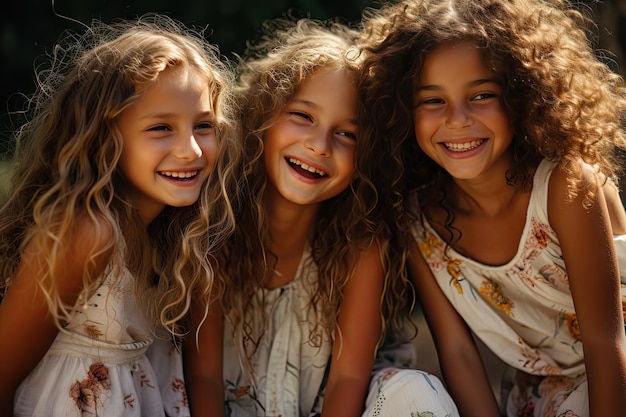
(499, 133)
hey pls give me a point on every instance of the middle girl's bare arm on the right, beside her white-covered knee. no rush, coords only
(355, 346)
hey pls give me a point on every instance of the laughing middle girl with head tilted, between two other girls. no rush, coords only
(309, 290)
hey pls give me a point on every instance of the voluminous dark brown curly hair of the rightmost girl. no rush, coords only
(564, 104)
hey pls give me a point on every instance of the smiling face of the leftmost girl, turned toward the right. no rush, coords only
(169, 143)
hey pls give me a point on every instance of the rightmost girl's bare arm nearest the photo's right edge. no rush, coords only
(585, 236)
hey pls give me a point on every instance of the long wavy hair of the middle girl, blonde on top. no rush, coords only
(271, 71)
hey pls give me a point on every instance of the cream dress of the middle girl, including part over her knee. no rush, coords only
(291, 362)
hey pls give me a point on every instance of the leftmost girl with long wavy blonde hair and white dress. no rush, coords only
(117, 198)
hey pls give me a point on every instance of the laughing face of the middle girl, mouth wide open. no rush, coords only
(309, 151)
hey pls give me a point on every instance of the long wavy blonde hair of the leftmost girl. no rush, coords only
(66, 165)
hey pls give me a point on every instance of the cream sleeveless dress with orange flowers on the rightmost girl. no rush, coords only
(523, 310)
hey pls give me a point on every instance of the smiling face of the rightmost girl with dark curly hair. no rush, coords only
(459, 121)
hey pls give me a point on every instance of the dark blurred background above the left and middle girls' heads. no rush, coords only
(29, 29)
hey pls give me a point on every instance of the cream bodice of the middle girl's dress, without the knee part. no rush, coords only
(290, 361)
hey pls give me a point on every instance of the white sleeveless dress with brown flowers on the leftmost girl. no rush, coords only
(97, 365)
